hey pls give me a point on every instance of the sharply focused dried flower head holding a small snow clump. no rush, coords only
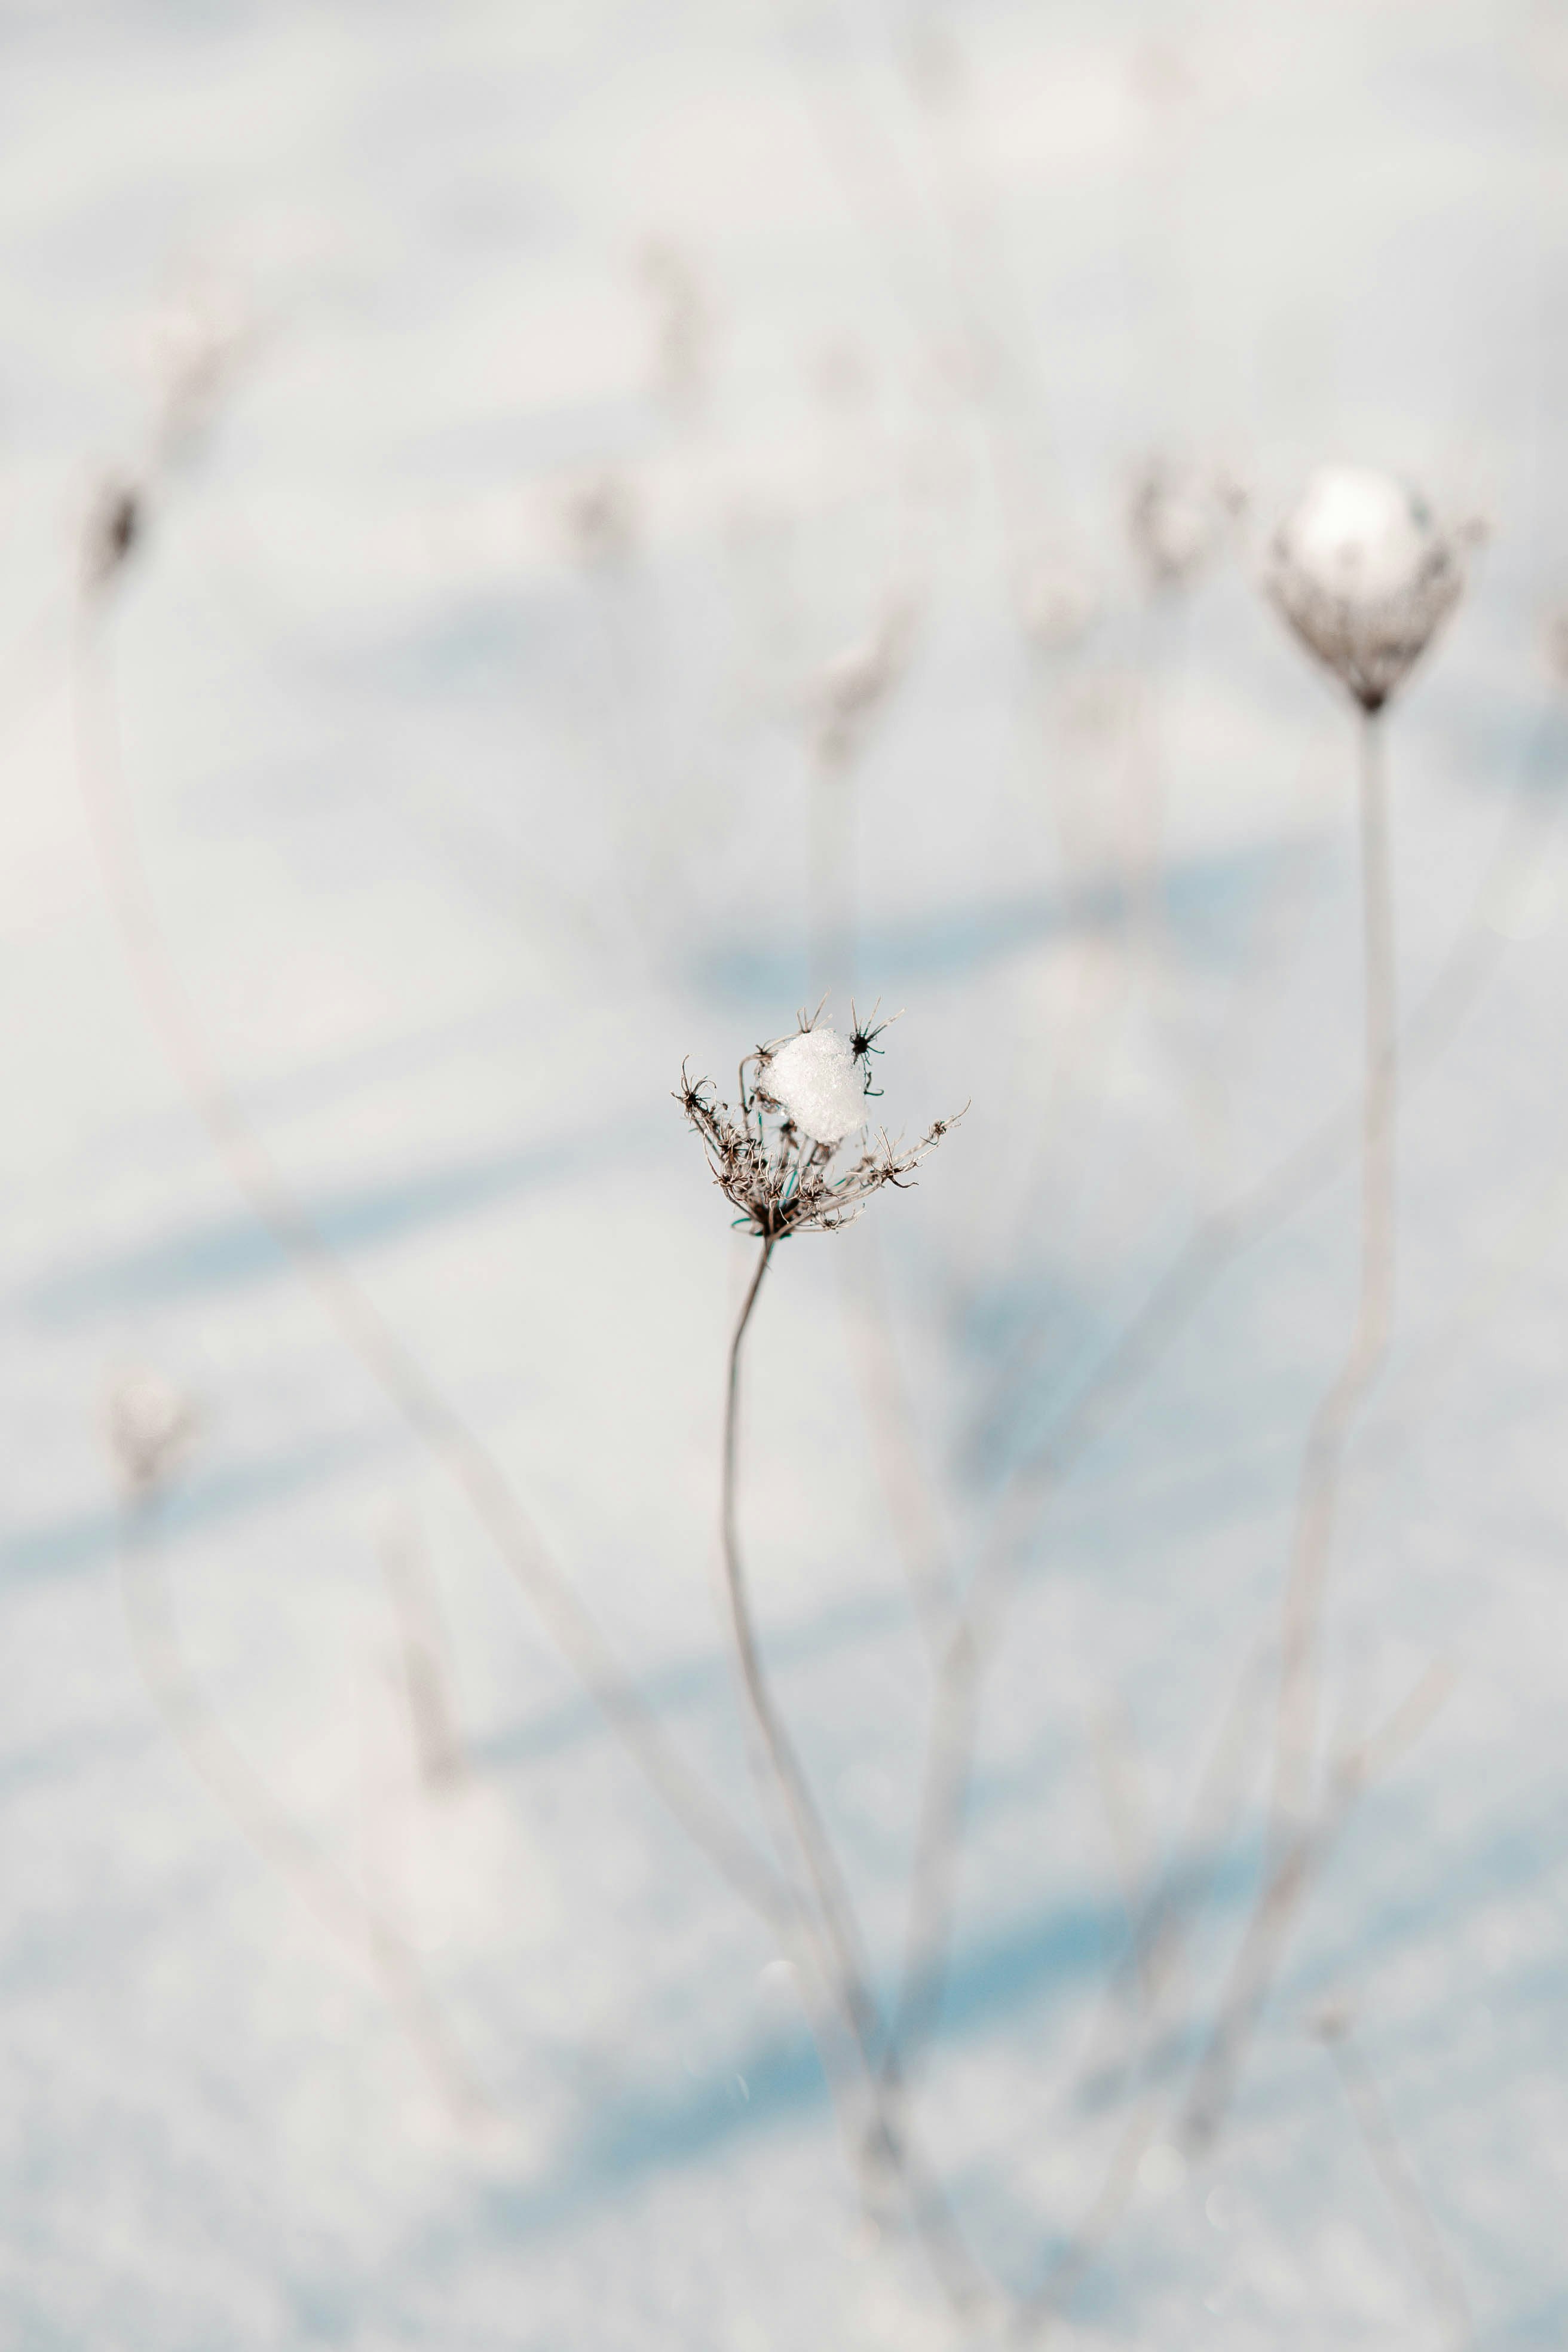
(777, 1154)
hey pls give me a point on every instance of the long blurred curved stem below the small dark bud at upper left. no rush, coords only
(361, 1325)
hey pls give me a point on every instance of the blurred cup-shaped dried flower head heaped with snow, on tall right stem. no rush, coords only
(1365, 575)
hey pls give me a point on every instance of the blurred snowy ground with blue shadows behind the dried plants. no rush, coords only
(589, 462)
